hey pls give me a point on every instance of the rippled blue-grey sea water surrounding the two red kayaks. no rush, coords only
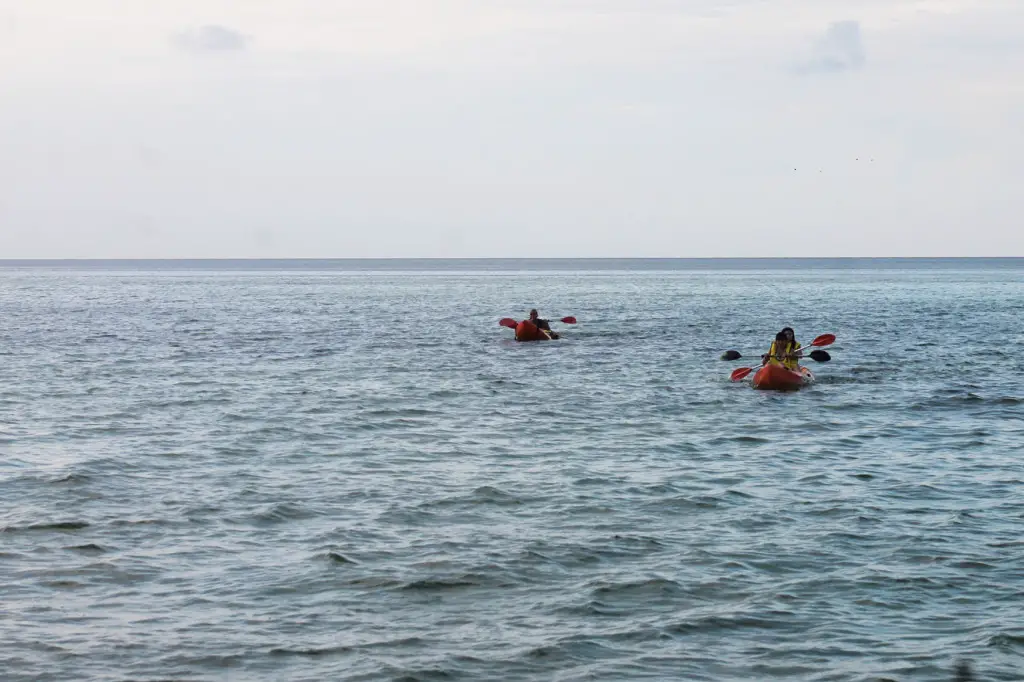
(311, 472)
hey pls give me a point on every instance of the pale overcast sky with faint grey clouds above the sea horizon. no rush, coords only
(511, 129)
